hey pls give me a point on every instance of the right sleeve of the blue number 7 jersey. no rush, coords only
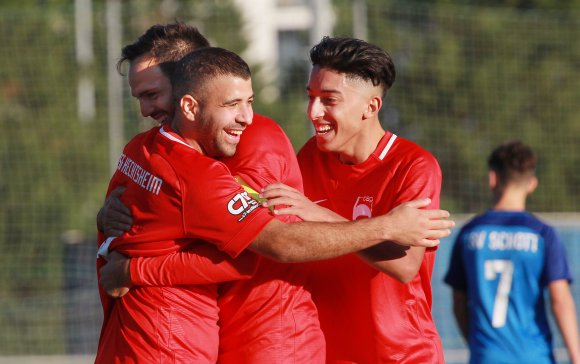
(556, 267)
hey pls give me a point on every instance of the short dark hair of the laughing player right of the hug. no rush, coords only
(355, 58)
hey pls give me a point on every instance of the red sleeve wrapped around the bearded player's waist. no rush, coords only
(202, 264)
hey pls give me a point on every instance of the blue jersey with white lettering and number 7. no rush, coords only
(504, 261)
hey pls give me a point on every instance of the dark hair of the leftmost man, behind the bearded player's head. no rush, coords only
(166, 43)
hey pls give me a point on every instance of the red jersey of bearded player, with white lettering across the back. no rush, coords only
(176, 196)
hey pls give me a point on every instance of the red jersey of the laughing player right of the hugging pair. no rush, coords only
(367, 316)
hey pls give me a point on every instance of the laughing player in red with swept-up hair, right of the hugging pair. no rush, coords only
(374, 306)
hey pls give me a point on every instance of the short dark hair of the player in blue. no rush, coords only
(512, 162)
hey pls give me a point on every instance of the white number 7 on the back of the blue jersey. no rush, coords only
(505, 269)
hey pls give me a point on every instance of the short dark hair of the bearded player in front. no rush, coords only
(196, 69)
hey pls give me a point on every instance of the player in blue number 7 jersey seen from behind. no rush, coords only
(502, 262)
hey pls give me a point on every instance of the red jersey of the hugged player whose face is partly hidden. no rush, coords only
(270, 318)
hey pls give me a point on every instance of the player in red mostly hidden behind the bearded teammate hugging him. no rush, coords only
(277, 302)
